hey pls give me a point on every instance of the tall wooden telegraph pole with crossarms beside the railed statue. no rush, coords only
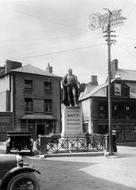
(109, 42)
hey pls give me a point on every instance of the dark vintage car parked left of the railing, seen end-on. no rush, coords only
(19, 141)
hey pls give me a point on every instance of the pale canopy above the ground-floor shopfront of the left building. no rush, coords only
(36, 116)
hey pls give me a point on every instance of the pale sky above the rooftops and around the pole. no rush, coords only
(39, 32)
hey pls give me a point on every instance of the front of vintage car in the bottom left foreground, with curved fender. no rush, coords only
(16, 175)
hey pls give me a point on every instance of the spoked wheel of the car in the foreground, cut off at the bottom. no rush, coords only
(24, 181)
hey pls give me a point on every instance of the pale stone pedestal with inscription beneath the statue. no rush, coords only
(72, 122)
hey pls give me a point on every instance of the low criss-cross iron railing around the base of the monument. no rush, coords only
(72, 144)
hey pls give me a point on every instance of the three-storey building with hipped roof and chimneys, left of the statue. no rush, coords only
(31, 97)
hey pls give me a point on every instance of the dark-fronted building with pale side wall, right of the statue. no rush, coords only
(94, 103)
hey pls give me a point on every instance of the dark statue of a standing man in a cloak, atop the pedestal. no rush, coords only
(70, 89)
